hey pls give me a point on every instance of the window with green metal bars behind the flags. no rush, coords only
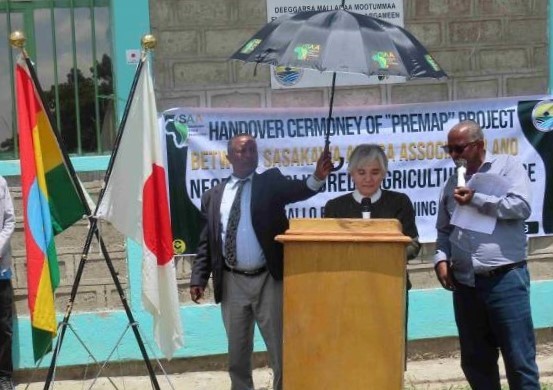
(70, 43)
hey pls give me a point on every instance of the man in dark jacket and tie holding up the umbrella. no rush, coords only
(243, 256)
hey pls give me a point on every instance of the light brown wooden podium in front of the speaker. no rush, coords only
(344, 304)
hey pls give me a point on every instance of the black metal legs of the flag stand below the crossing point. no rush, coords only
(93, 231)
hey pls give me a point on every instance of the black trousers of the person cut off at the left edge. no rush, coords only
(6, 327)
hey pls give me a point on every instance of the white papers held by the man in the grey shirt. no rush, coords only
(468, 217)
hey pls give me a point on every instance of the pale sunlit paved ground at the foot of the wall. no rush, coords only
(433, 374)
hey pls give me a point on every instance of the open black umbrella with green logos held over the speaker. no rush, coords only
(340, 41)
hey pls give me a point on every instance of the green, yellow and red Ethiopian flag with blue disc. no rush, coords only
(51, 203)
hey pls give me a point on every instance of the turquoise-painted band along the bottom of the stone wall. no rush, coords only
(430, 316)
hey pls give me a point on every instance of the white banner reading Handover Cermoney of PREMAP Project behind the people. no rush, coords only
(411, 135)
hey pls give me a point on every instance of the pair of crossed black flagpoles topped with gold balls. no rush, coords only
(17, 39)
